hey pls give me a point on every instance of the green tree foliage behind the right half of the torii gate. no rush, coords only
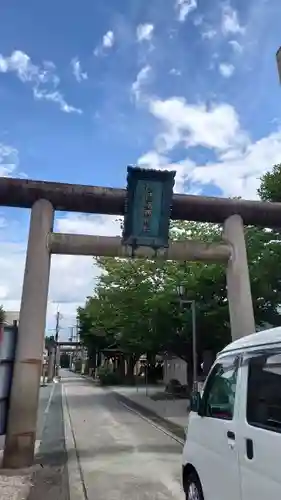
(135, 305)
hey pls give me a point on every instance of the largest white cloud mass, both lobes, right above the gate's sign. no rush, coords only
(239, 162)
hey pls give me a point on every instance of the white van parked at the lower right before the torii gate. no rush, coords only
(233, 441)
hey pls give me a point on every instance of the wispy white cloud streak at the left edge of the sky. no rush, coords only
(43, 79)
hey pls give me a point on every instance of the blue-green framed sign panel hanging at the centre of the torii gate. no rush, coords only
(148, 207)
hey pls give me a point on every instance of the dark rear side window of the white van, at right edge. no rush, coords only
(264, 392)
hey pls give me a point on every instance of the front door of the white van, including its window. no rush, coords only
(211, 437)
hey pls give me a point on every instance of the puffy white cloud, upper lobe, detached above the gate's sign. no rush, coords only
(216, 126)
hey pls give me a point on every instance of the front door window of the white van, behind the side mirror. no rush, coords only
(219, 395)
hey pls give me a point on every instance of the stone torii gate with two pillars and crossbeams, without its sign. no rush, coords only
(43, 198)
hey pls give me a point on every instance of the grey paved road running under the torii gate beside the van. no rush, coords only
(119, 455)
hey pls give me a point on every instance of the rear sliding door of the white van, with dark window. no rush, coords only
(259, 434)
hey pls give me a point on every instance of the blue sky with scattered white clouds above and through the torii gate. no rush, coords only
(89, 87)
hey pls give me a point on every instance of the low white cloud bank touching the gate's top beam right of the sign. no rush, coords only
(236, 172)
